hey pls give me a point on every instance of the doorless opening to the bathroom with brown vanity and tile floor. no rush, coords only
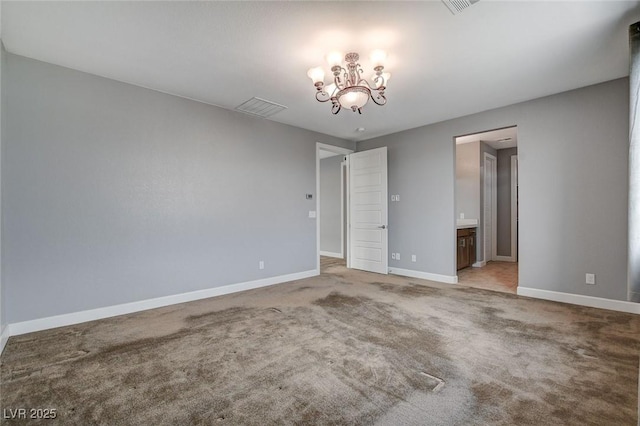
(487, 209)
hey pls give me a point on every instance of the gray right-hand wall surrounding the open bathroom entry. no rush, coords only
(573, 204)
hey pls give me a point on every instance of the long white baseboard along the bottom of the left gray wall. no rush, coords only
(143, 305)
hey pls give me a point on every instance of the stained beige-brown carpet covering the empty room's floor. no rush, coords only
(347, 347)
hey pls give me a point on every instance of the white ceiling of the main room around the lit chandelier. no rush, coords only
(493, 54)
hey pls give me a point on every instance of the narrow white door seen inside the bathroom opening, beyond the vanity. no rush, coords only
(490, 207)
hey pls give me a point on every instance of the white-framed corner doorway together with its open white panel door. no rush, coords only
(360, 184)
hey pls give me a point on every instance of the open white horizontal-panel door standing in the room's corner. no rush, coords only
(368, 233)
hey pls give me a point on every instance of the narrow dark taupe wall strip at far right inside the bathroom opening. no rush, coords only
(504, 200)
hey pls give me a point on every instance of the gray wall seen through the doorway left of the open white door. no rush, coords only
(330, 207)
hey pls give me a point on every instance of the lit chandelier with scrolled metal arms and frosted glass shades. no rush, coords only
(349, 89)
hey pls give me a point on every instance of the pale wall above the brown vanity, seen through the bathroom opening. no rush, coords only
(468, 180)
